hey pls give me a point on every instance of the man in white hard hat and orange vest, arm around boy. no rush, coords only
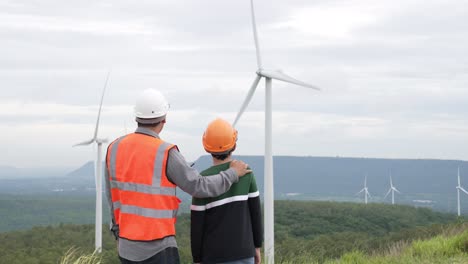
(142, 172)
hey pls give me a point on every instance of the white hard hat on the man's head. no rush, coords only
(151, 106)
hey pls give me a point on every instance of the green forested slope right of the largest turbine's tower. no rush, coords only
(328, 230)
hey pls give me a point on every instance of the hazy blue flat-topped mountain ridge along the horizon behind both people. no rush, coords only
(422, 182)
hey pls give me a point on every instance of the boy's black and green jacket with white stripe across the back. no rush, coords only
(227, 227)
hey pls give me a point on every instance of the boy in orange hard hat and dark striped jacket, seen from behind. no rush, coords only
(226, 228)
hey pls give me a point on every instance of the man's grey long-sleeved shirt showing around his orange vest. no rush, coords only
(186, 178)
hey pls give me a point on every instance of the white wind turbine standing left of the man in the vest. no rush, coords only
(98, 174)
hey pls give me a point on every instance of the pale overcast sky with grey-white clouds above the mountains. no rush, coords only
(394, 75)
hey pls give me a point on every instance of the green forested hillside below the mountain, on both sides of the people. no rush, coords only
(313, 230)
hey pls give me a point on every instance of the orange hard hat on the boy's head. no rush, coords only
(219, 137)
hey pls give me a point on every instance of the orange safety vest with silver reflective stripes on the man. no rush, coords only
(144, 200)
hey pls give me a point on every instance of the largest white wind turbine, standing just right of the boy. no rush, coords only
(269, 75)
